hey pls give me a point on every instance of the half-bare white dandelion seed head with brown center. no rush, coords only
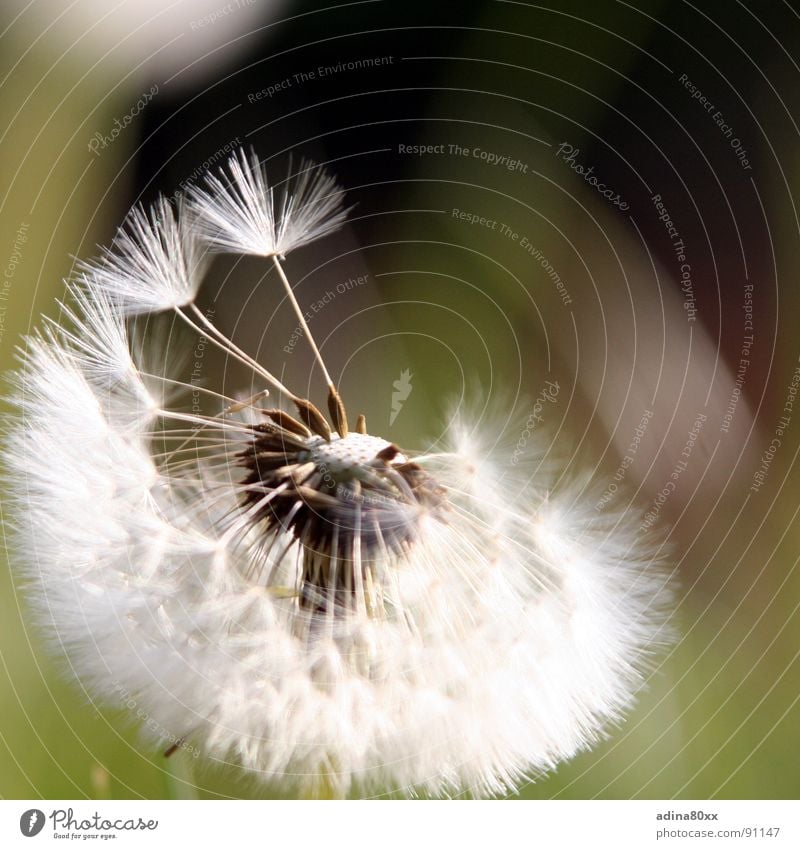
(283, 591)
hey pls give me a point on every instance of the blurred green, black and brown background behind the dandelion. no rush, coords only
(670, 301)
